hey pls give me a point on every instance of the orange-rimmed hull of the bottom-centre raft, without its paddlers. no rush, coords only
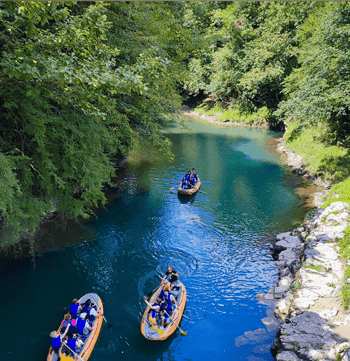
(155, 334)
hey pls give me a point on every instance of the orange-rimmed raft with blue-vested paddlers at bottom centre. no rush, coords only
(153, 330)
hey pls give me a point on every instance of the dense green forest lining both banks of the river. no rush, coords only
(83, 83)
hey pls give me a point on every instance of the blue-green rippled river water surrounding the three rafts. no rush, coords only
(217, 241)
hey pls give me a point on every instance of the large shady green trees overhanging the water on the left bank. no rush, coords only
(81, 84)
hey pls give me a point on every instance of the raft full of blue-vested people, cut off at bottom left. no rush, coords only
(87, 341)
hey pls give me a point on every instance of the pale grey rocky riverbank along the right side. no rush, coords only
(315, 325)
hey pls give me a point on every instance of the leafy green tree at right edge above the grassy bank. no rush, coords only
(318, 90)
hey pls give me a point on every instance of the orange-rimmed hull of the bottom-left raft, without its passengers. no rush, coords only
(91, 339)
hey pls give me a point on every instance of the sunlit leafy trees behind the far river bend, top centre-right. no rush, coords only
(251, 49)
